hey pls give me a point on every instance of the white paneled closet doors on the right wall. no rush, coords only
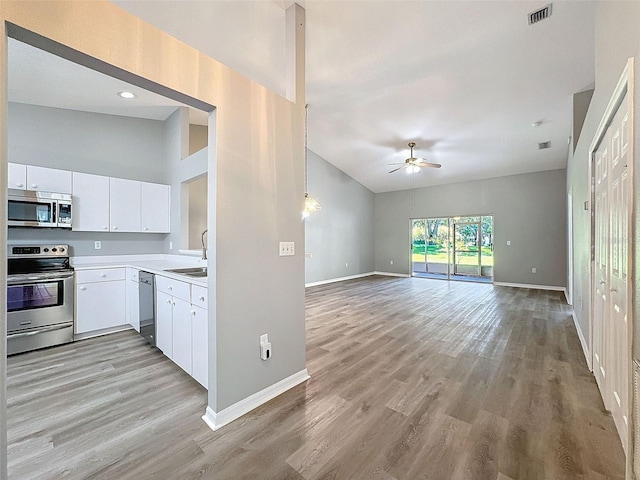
(611, 348)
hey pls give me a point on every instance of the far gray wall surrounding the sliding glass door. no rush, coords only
(529, 210)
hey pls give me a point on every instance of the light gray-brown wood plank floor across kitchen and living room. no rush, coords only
(411, 379)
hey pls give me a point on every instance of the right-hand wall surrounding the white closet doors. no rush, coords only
(617, 39)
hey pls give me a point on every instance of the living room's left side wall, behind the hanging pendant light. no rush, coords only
(342, 232)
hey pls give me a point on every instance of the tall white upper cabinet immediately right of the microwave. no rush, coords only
(90, 202)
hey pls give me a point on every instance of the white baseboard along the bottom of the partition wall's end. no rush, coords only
(216, 420)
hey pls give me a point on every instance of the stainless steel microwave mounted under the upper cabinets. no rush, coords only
(28, 208)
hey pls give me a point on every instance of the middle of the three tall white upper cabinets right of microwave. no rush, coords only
(124, 205)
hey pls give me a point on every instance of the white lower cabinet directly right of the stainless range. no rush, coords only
(100, 299)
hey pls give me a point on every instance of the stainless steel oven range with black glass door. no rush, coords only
(39, 297)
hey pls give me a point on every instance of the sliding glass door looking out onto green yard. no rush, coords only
(453, 248)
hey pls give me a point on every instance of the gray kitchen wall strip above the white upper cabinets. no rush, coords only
(108, 145)
